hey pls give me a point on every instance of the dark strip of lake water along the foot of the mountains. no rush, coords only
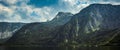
(58, 48)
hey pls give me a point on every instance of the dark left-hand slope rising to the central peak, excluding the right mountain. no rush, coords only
(40, 33)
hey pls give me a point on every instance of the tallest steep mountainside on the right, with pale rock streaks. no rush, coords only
(94, 25)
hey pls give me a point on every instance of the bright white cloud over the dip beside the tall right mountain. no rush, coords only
(75, 6)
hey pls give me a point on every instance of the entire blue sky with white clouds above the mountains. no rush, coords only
(28, 11)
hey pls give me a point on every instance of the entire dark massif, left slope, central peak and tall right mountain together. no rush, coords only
(95, 25)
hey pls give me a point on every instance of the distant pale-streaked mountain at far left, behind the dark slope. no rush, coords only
(7, 29)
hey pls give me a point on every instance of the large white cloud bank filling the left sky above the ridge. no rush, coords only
(24, 13)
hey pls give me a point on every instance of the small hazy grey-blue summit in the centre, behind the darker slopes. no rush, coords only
(61, 18)
